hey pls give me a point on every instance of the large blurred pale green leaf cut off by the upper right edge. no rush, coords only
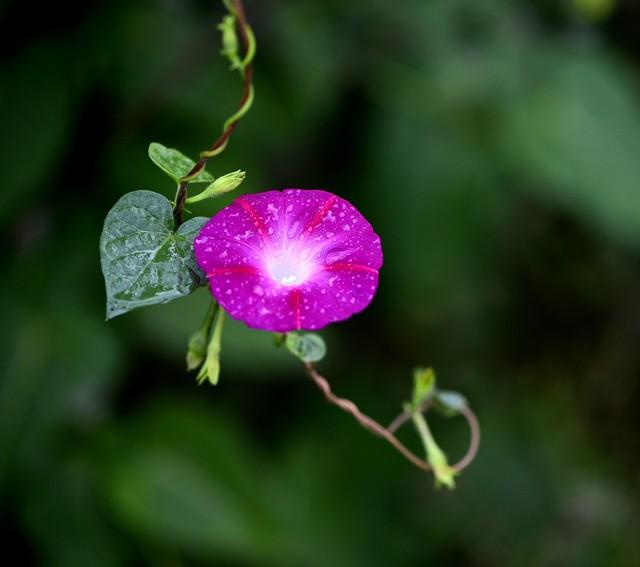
(574, 135)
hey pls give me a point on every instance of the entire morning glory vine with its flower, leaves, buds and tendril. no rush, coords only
(275, 260)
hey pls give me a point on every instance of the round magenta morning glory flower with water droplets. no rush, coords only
(290, 260)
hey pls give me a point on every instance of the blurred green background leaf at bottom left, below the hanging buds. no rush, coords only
(179, 477)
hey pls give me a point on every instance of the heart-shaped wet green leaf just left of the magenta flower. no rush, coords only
(144, 261)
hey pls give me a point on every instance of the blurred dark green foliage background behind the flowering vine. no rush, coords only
(495, 147)
